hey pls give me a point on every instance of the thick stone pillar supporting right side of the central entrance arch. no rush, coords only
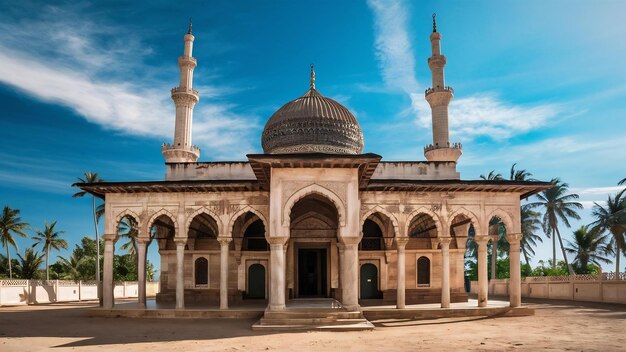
(350, 273)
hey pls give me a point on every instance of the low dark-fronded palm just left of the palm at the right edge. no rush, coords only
(589, 245)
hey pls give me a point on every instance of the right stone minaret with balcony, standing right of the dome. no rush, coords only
(439, 97)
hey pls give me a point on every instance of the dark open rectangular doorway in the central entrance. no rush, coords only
(312, 272)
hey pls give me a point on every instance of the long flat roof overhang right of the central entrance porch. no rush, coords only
(524, 188)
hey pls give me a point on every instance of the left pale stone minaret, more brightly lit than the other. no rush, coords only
(185, 98)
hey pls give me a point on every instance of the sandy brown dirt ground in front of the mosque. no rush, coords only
(557, 326)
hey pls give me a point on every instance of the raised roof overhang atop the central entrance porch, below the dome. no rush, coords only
(263, 163)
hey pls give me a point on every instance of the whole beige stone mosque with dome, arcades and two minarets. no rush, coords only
(313, 217)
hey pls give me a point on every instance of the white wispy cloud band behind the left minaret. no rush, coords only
(81, 66)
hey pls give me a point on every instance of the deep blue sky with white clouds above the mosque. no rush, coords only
(85, 86)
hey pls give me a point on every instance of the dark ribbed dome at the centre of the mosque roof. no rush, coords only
(312, 124)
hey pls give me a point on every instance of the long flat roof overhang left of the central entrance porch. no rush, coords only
(99, 189)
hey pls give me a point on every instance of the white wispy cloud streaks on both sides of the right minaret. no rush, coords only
(480, 114)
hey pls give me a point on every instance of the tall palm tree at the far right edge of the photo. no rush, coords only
(612, 218)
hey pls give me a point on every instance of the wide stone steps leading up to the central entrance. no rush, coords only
(313, 316)
